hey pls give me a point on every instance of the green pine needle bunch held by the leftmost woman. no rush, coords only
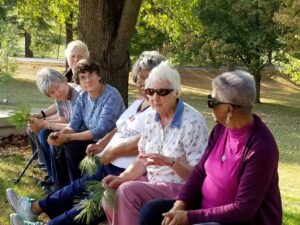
(20, 116)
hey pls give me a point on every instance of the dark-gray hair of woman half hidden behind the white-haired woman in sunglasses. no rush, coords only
(146, 61)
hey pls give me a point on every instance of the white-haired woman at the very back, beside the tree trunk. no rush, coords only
(75, 51)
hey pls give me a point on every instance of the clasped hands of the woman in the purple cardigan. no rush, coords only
(175, 217)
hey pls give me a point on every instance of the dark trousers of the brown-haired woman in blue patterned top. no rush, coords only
(75, 152)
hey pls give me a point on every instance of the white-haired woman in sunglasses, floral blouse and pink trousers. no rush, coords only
(172, 141)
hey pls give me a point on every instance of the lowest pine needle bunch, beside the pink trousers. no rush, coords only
(91, 206)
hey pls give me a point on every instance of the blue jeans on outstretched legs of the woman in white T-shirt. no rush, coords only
(60, 207)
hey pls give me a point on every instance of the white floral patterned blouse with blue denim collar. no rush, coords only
(185, 138)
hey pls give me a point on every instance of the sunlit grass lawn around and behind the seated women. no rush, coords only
(280, 110)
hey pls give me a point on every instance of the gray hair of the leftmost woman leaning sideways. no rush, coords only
(46, 77)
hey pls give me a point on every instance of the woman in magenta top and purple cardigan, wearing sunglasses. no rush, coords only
(236, 180)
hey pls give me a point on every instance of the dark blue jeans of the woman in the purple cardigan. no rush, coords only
(151, 212)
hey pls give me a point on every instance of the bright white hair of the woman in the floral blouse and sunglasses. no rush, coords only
(164, 73)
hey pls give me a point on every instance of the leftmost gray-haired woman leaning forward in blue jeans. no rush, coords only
(53, 84)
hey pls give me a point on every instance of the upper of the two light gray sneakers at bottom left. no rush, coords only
(21, 205)
